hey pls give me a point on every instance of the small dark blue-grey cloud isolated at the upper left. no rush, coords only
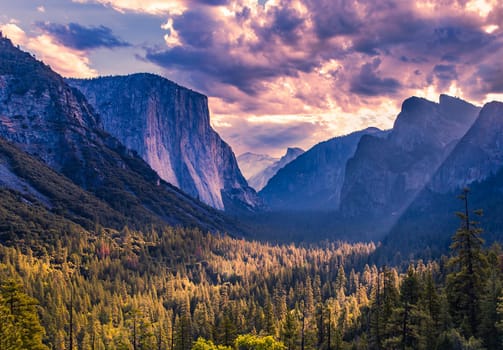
(80, 37)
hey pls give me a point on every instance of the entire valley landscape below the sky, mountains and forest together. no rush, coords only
(127, 223)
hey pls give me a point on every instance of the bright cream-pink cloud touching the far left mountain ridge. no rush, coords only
(66, 61)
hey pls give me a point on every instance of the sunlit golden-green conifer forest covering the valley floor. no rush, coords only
(180, 289)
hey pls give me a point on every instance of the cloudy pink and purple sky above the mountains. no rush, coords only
(278, 73)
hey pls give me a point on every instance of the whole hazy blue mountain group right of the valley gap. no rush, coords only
(400, 185)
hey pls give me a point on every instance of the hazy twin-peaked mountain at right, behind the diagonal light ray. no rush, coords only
(386, 174)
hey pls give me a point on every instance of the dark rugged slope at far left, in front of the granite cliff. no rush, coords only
(43, 116)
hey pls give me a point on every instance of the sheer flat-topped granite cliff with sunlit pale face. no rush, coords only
(169, 127)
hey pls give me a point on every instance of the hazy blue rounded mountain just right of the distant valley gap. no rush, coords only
(314, 180)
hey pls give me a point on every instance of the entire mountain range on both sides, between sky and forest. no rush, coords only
(139, 150)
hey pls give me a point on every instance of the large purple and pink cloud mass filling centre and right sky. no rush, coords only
(338, 58)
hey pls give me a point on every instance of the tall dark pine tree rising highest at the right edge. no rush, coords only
(465, 283)
